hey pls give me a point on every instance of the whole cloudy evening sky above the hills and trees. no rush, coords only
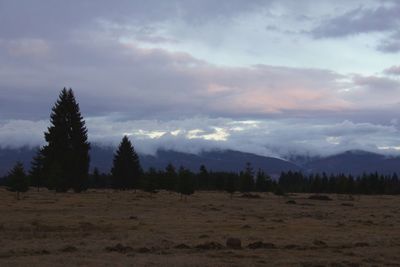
(275, 78)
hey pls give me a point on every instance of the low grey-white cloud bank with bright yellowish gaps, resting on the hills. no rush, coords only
(268, 137)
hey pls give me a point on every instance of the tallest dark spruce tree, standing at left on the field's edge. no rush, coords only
(66, 155)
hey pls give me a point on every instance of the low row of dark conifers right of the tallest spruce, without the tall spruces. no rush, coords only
(248, 180)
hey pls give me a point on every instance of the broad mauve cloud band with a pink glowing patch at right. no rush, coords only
(151, 83)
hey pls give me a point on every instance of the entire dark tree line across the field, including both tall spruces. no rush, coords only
(63, 164)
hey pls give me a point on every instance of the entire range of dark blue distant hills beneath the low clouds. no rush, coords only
(354, 162)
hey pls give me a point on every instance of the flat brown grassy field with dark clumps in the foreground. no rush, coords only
(110, 228)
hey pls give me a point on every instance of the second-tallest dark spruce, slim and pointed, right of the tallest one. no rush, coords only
(126, 170)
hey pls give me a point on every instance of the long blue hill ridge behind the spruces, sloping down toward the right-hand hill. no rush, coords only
(101, 157)
